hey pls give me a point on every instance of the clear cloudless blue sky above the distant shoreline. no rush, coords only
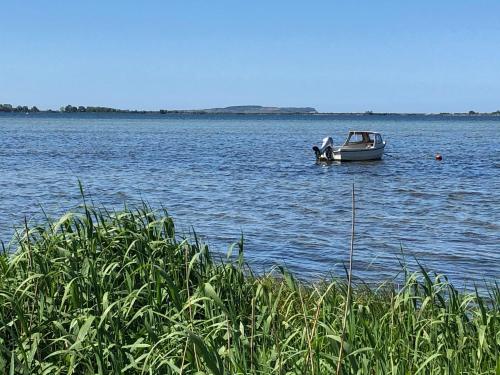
(336, 56)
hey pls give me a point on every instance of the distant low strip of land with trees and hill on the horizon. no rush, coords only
(232, 110)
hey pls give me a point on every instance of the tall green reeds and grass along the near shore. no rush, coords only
(120, 293)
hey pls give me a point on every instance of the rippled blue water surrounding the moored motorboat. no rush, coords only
(256, 175)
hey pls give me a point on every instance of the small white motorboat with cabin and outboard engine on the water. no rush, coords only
(359, 146)
